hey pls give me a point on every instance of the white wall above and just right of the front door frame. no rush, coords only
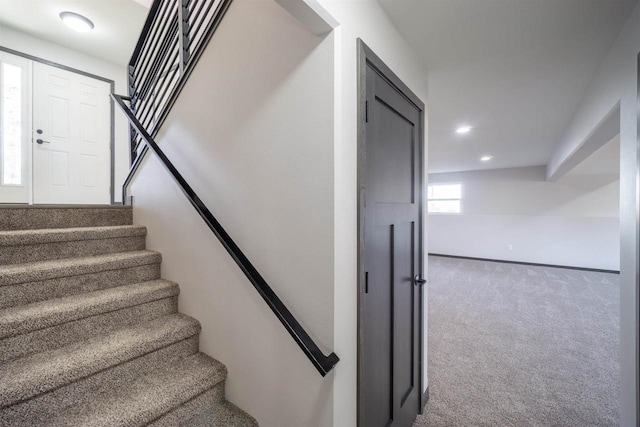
(61, 55)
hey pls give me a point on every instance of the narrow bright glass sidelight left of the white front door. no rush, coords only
(15, 129)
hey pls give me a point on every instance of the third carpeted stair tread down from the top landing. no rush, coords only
(44, 314)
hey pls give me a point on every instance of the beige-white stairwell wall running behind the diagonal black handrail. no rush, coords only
(252, 132)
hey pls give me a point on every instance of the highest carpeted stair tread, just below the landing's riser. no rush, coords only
(30, 237)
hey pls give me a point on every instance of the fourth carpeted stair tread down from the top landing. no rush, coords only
(39, 373)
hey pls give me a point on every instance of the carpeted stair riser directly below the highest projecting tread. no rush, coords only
(60, 250)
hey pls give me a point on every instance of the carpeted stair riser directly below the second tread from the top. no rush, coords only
(30, 292)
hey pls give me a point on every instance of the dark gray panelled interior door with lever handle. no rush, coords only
(390, 302)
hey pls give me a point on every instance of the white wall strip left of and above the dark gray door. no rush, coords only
(365, 20)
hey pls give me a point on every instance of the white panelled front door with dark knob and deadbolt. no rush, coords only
(71, 138)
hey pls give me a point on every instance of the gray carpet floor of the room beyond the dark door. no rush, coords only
(516, 345)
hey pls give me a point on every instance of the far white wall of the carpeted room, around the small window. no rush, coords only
(571, 222)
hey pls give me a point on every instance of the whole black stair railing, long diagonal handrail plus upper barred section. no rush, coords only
(173, 39)
